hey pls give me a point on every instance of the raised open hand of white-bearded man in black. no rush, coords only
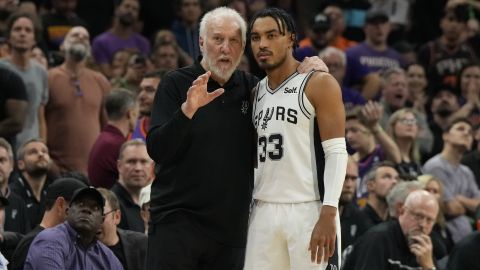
(198, 96)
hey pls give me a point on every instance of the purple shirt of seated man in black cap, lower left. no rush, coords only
(57, 248)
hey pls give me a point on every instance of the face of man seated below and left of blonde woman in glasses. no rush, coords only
(385, 179)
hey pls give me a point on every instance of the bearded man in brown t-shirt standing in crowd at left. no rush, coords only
(75, 112)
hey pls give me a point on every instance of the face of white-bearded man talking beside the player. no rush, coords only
(222, 47)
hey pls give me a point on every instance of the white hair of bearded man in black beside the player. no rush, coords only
(223, 13)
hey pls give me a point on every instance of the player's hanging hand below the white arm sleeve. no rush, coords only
(322, 241)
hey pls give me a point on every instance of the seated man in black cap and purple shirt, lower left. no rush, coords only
(73, 244)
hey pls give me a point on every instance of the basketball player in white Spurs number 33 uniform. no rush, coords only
(290, 227)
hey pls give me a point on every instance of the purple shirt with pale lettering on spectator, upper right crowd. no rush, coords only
(362, 60)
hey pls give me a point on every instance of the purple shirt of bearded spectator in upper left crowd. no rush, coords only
(107, 44)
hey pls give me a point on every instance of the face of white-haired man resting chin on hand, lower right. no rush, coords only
(419, 216)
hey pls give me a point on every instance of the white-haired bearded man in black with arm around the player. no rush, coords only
(202, 139)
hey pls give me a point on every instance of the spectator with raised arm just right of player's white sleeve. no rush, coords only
(371, 143)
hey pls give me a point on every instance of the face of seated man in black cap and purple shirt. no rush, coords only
(85, 215)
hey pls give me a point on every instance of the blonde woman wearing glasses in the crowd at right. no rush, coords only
(404, 130)
